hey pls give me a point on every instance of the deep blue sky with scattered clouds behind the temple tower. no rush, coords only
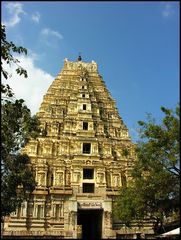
(136, 46)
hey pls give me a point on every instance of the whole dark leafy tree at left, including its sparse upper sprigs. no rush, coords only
(17, 127)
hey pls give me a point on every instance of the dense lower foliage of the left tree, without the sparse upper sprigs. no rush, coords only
(17, 126)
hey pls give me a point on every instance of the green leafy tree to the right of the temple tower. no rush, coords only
(154, 190)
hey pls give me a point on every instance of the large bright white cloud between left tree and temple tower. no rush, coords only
(33, 88)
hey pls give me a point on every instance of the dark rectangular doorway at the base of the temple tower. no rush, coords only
(91, 222)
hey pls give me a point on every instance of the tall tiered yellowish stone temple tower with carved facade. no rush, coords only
(80, 162)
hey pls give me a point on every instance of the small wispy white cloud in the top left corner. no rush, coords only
(14, 11)
